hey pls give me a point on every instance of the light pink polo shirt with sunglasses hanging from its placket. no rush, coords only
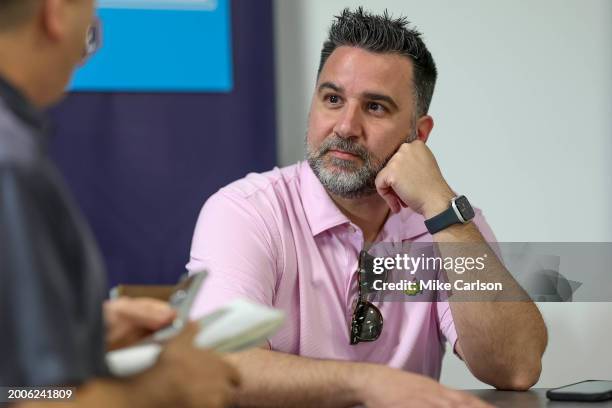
(278, 239)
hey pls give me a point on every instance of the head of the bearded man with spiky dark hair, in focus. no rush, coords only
(375, 83)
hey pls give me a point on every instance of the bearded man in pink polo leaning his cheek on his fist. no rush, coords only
(291, 238)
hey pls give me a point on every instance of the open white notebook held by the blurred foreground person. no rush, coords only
(236, 326)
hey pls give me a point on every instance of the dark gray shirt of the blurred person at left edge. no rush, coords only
(52, 281)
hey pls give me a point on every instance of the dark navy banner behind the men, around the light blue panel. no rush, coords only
(141, 165)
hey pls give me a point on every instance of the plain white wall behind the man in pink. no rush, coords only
(523, 110)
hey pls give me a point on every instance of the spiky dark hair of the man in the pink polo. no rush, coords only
(384, 34)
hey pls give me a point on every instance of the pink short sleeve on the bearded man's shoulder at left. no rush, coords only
(234, 243)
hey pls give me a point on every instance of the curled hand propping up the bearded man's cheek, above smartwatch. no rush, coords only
(413, 179)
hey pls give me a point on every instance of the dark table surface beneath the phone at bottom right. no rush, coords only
(534, 398)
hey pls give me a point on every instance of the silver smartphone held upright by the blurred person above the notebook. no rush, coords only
(181, 300)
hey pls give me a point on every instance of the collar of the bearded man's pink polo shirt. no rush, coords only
(323, 214)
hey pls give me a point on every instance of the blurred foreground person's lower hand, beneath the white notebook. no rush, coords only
(201, 378)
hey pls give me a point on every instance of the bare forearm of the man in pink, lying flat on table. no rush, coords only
(274, 379)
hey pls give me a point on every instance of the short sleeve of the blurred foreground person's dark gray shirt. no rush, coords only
(51, 329)
